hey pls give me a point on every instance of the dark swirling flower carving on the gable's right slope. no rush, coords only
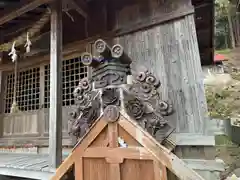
(143, 103)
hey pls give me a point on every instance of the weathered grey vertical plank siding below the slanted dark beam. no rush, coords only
(170, 51)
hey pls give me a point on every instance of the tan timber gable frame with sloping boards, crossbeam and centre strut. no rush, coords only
(150, 148)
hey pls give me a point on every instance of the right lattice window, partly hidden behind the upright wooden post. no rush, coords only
(72, 71)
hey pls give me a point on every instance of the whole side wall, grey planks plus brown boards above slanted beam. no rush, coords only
(162, 37)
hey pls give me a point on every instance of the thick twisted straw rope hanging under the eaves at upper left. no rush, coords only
(36, 27)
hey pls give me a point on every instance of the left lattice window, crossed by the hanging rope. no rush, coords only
(28, 90)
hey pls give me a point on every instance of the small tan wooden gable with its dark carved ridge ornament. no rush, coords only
(120, 126)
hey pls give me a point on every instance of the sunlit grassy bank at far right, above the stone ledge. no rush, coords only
(223, 96)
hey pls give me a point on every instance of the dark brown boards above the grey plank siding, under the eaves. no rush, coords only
(146, 14)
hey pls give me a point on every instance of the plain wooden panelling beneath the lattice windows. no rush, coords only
(30, 127)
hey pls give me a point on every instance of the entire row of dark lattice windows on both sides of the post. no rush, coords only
(28, 85)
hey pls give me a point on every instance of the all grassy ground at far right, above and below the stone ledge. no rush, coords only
(223, 98)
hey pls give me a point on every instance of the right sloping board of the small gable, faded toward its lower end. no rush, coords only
(162, 154)
